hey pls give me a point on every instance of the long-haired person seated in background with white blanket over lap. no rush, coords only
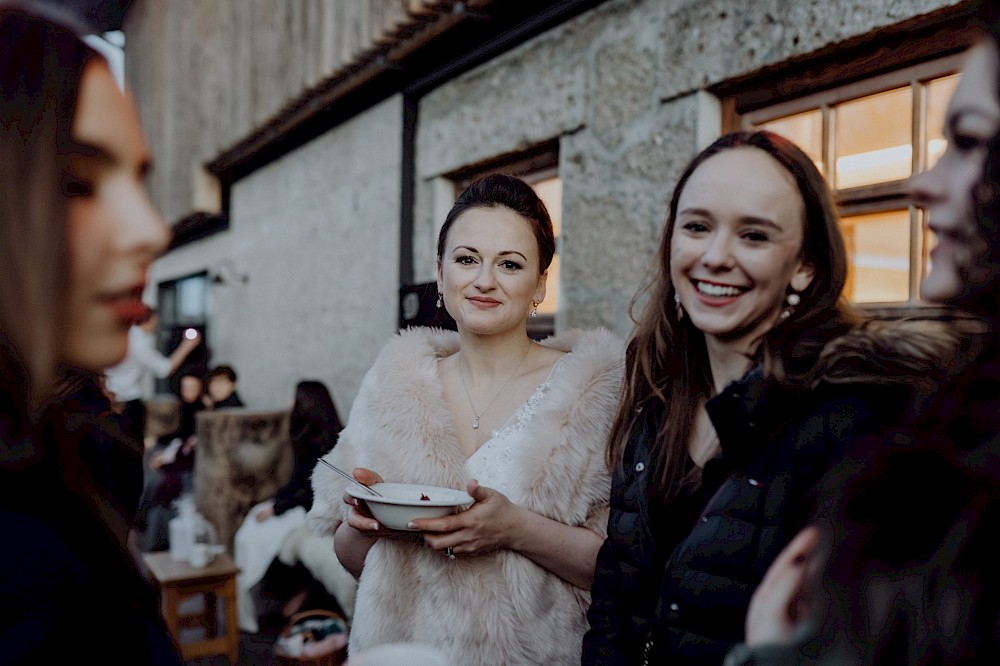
(313, 429)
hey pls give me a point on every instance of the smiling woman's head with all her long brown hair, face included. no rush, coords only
(751, 262)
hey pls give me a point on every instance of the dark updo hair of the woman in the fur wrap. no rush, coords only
(499, 190)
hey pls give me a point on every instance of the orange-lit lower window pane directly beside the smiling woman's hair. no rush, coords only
(879, 247)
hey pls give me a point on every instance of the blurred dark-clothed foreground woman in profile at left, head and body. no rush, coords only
(77, 236)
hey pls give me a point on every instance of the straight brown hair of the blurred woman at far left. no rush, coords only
(41, 65)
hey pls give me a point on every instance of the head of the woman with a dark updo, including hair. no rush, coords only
(493, 253)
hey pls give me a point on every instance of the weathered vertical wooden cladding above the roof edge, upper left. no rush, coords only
(209, 74)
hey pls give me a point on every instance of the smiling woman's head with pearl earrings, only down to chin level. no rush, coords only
(752, 240)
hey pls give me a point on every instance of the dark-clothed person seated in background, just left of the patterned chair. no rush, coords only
(169, 468)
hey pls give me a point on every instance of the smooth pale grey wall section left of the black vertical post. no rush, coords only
(317, 232)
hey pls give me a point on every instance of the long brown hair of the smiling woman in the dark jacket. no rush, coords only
(667, 365)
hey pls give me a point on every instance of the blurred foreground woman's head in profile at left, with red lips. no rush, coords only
(78, 230)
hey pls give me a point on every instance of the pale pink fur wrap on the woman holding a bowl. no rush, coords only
(500, 607)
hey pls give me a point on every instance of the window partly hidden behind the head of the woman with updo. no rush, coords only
(540, 169)
